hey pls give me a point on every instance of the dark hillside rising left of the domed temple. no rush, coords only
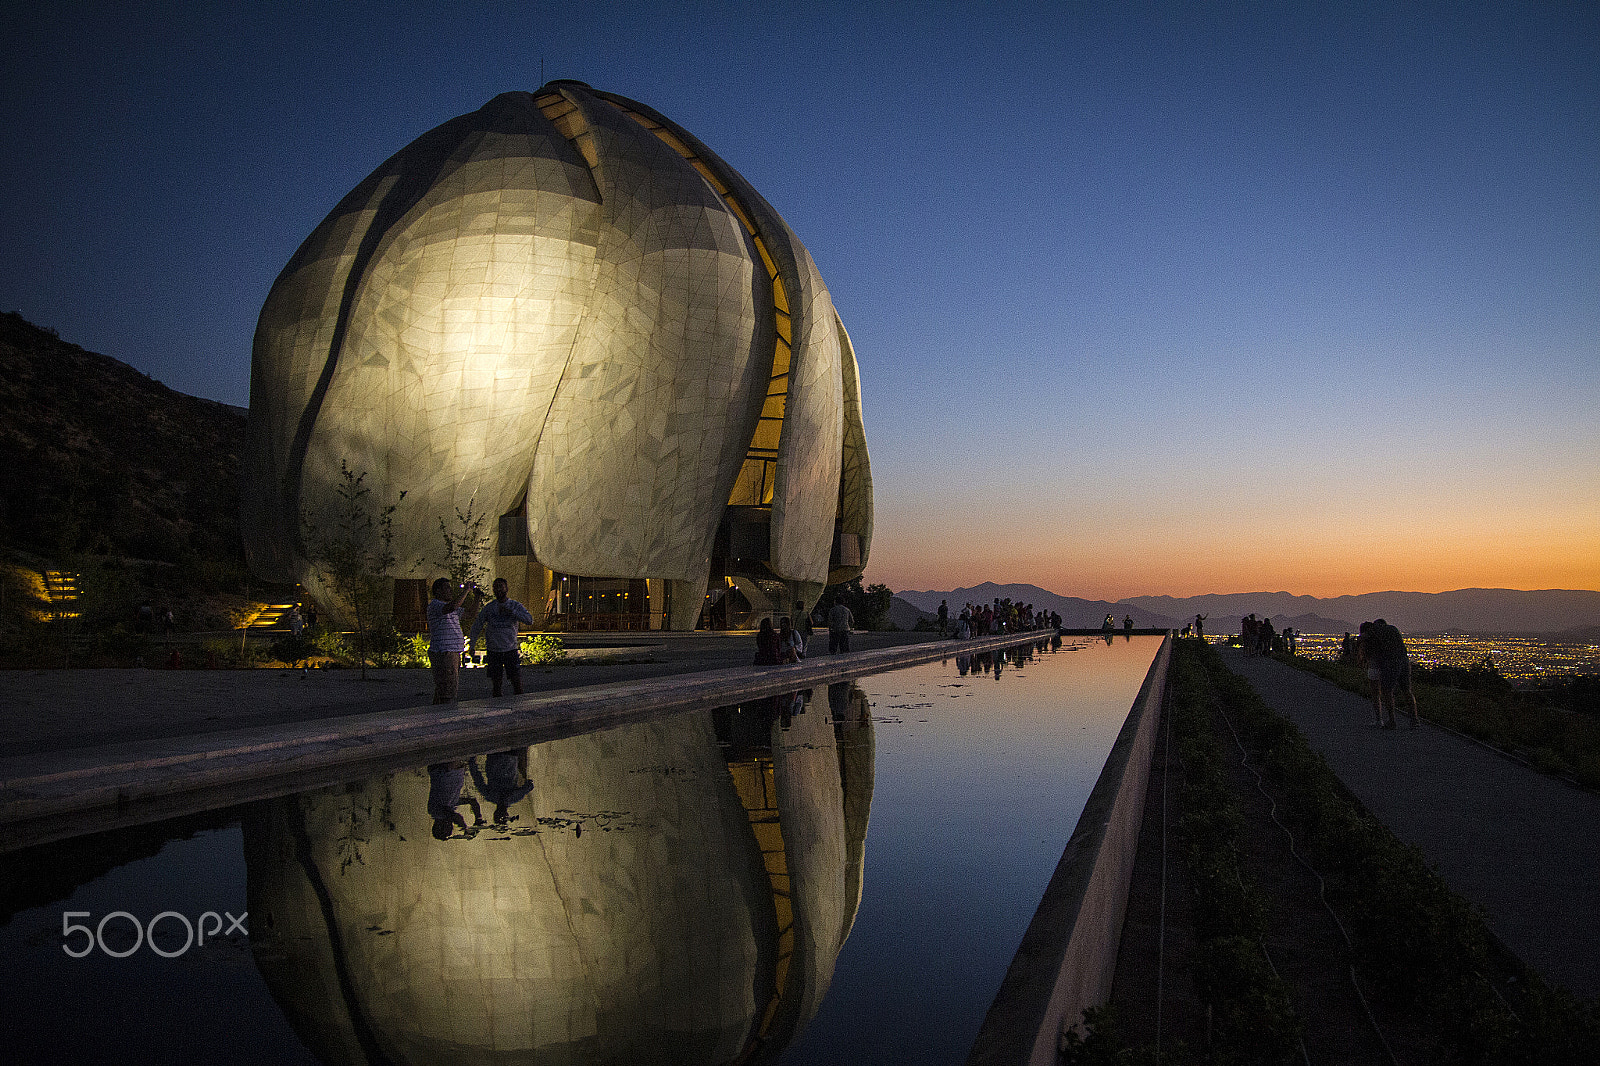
(98, 457)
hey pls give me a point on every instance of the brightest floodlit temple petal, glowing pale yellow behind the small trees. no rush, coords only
(460, 334)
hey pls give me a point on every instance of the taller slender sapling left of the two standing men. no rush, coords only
(354, 551)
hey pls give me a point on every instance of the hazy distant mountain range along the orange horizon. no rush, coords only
(1567, 612)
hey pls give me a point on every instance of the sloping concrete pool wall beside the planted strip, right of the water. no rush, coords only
(1070, 952)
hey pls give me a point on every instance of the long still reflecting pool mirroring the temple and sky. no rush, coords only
(839, 875)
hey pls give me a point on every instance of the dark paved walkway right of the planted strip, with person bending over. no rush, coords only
(1524, 846)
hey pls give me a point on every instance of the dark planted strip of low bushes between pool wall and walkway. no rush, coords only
(1319, 936)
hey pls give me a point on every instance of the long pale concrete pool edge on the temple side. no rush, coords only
(90, 790)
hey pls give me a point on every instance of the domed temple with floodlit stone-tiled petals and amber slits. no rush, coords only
(569, 313)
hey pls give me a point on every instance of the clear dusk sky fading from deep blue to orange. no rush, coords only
(1148, 299)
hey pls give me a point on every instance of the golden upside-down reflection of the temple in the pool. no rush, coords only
(668, 892)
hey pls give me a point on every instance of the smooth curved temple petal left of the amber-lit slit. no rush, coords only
(665, 382)
